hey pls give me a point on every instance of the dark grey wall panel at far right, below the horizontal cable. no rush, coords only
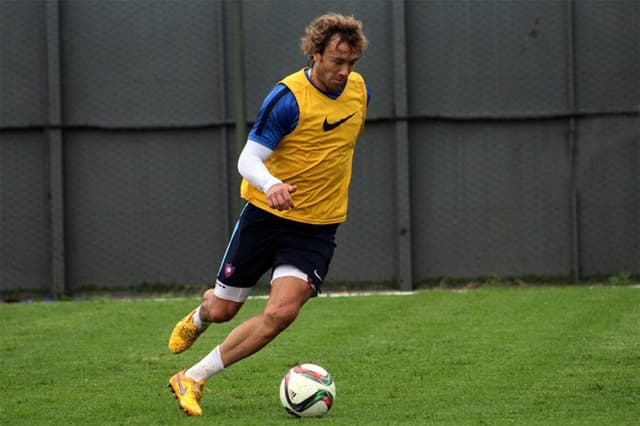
(608, 178)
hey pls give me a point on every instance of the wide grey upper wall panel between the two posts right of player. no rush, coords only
(486, 58)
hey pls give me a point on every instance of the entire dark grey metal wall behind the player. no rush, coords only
(503, 138)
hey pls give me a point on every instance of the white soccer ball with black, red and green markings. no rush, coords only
(307, 390)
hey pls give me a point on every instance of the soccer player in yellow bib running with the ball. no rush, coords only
(296, 169)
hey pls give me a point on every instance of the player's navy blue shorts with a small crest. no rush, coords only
(262, 241)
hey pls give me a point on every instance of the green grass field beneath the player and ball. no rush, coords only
(535, 356)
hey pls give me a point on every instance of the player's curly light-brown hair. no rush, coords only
(320, 31)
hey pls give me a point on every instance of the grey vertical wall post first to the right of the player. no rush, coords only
(404, 264)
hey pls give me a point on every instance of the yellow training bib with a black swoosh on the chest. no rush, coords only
(317, 155)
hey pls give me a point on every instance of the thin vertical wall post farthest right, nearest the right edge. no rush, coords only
(571, 103)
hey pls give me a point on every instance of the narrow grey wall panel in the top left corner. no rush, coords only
(23, 58)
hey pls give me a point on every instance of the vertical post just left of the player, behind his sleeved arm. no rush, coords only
(239, 95)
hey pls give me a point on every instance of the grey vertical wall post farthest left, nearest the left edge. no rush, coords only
(54, 140)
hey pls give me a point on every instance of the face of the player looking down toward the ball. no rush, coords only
(331, 68)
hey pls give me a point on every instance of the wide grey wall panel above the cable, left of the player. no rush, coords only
(142, 63)
